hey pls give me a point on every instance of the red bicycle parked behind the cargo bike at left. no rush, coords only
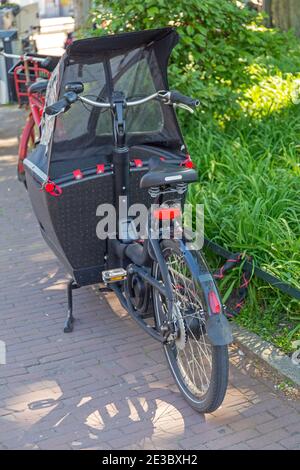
(31, 75)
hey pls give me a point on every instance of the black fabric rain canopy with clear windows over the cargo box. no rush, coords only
(135, 63)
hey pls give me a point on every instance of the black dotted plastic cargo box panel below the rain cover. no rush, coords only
(68, 222)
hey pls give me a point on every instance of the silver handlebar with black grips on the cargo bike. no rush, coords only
(167, 97)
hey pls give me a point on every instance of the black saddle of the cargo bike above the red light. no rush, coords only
(161, 173)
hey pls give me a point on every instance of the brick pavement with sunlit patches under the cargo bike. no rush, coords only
(106, 385)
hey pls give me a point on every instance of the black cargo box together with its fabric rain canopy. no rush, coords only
(135, 63)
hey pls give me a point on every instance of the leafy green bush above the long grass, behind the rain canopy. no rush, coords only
(218, 43)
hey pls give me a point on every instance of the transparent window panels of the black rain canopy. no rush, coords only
(83, 137)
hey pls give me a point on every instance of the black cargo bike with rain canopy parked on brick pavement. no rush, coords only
(110, 136)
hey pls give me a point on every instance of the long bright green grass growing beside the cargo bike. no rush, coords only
(249, 170)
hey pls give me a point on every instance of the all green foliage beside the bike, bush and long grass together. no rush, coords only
(245, 140)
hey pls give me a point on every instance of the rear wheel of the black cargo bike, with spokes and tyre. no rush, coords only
(200, 369)
